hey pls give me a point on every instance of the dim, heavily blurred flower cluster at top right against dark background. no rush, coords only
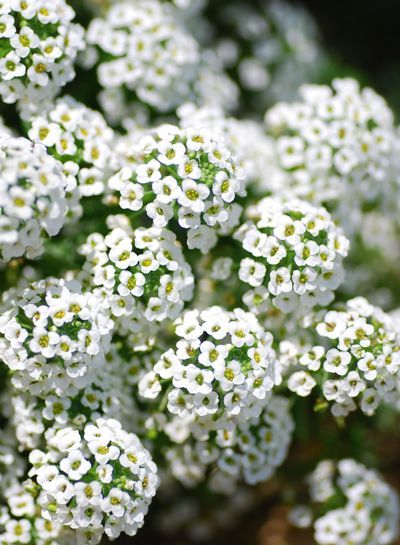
(271, 48)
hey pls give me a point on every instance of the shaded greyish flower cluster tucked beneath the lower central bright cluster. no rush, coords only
(250, 453)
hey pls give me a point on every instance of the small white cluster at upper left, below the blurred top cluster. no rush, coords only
(78, 137)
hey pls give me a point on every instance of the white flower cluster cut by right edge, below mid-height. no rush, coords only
(359, 363)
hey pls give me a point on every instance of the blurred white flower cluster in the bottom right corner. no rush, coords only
(368, 512)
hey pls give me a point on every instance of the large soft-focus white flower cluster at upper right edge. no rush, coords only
(337, 147)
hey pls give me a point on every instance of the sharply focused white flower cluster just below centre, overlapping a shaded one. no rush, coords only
(221, 371)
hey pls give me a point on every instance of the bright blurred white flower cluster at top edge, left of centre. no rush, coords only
(144, 54)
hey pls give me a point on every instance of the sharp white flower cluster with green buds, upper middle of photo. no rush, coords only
(184, 175)
